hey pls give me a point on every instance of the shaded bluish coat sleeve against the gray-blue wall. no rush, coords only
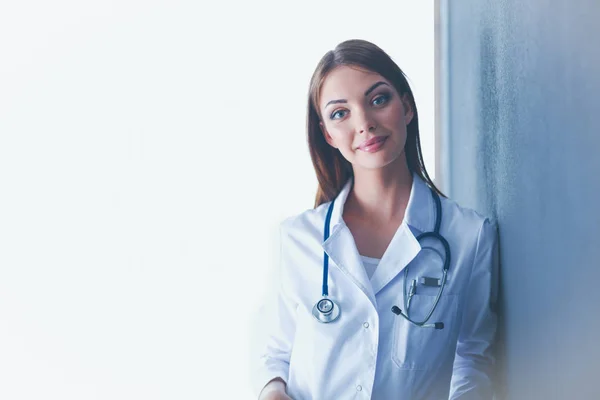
(473, 362)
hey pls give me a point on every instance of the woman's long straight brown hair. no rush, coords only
(332, 169)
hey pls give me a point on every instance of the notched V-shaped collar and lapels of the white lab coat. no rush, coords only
(341, 247)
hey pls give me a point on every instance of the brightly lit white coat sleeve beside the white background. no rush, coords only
(276, 329)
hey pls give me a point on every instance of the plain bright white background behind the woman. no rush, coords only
(148, 151)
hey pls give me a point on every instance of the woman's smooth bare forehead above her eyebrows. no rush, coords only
(347, 82)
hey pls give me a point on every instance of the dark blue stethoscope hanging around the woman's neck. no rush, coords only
(326, 310)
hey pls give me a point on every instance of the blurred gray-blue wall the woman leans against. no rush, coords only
(520, 141)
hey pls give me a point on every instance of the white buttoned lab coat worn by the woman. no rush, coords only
(369, 352)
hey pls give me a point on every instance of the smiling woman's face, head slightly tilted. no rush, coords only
(359, 106)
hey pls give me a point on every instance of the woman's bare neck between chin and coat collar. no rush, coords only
(380, 195)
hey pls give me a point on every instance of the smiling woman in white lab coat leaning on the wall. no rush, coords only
(387, 288)
